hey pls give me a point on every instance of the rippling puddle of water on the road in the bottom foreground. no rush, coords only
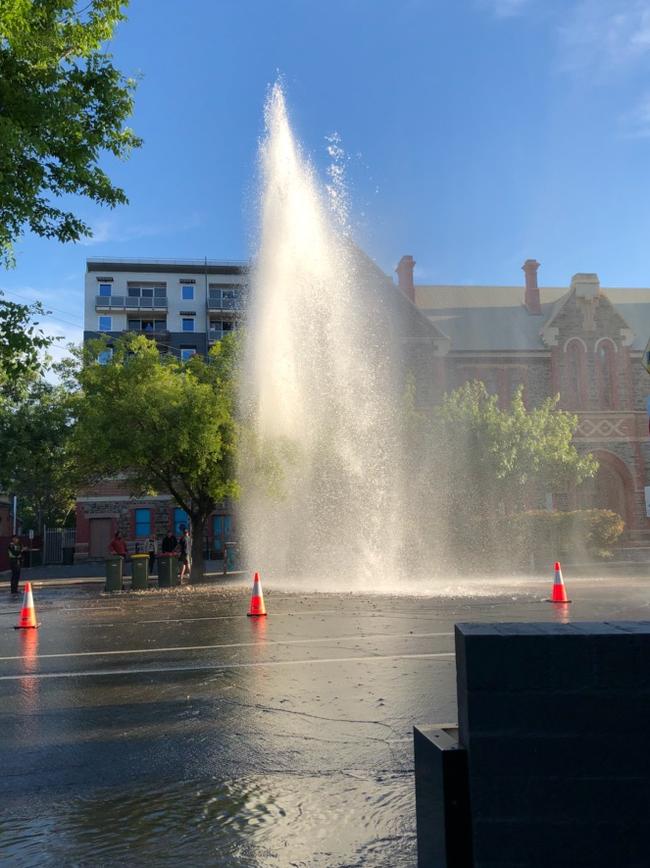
(332, 819)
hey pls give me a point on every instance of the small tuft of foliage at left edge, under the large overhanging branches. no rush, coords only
(22, 345)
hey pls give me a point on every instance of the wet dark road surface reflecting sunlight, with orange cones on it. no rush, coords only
(147, 728)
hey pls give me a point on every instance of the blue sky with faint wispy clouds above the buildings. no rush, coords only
(477, 133)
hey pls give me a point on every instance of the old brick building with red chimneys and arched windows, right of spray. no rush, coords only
(583, 341)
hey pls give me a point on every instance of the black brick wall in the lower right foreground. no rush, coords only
(555, 722)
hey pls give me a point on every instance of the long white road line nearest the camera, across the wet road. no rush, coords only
(217, 667)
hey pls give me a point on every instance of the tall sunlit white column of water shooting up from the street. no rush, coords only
(320, 469)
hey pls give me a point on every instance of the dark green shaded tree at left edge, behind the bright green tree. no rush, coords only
(35, 461)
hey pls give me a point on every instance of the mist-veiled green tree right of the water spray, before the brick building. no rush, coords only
(477, 462)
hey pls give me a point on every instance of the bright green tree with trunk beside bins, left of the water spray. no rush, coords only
(167, 427)
